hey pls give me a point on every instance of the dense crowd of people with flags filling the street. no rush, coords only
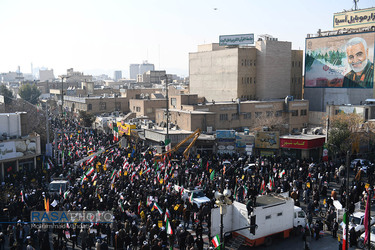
(149, 212)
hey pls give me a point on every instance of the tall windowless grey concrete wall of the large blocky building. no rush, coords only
(273, 69)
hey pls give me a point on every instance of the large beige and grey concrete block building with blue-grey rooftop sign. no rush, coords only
(268, 70)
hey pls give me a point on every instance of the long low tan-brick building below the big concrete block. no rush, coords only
(189, 113)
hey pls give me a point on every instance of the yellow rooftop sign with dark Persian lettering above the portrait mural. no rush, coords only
(354, 19)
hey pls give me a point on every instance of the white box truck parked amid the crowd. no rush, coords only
(275, 216)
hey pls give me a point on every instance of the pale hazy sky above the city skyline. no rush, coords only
(95, 36)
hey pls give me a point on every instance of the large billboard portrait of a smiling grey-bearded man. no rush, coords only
(345, 61)
